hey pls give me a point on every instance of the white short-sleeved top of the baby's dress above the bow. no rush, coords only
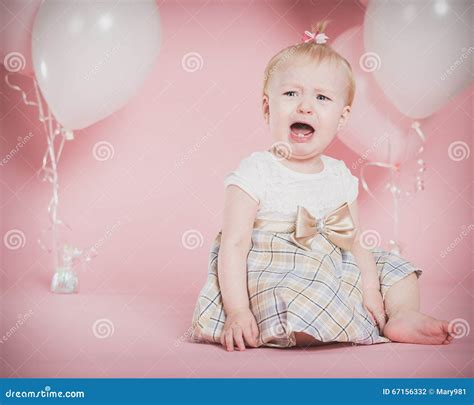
(279, 189)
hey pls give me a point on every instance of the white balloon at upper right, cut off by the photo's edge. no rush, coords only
(425, 48)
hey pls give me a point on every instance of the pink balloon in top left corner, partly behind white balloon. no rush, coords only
(16, 22)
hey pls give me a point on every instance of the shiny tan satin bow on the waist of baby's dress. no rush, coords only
(337, 226)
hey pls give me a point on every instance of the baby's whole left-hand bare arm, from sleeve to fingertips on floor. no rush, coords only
(239, 215)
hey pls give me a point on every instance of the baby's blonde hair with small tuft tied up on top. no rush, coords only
(317, 53)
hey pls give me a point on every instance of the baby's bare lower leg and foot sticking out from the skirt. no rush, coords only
(405, 323)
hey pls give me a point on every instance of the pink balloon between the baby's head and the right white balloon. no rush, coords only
(376, 130)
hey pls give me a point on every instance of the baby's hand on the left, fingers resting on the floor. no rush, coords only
(239, 324)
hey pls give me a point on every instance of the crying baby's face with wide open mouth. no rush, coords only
(306, 106)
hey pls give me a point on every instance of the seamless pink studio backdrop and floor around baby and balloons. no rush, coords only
(170, 148)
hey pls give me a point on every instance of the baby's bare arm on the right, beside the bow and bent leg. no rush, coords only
(368, 269)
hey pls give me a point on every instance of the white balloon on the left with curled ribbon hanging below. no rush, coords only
(91, 57)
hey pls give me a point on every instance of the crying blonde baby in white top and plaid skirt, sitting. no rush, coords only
(288, 267)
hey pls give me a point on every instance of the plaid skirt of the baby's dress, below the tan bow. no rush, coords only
(317, 292)
